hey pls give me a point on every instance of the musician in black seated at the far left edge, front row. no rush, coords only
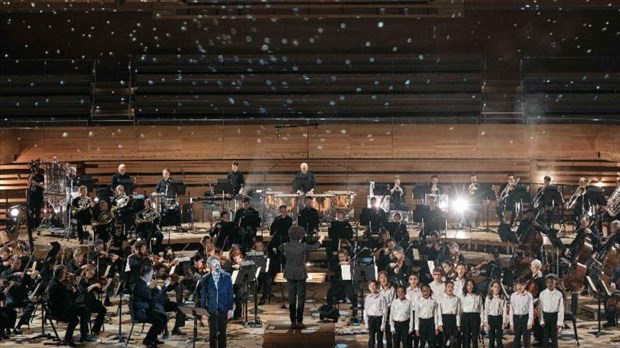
(17, 294)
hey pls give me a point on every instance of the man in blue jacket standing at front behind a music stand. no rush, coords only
(216, 295)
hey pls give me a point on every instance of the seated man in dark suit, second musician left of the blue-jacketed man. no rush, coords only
(144, 308)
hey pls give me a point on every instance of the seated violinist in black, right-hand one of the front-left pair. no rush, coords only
(89, 286)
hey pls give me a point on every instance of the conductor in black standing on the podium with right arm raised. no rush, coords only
(295, 273)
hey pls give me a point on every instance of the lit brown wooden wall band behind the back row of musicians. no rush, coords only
(343, 156)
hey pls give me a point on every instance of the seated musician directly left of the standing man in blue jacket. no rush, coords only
(161, 300)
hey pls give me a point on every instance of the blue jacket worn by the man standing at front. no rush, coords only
(218, 299)
